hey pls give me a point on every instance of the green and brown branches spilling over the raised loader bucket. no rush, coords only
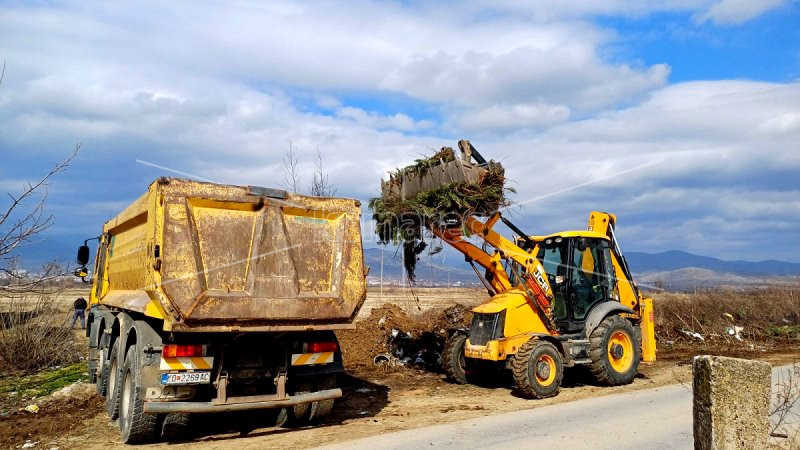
(401, 221)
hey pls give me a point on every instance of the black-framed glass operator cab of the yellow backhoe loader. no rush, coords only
(580, 272)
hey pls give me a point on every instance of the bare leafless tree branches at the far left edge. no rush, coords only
(21, 221)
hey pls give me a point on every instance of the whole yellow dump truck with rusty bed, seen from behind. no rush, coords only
(209, 297)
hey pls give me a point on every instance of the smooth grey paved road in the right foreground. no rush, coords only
(653, 418)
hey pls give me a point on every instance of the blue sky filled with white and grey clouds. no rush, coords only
(680, 116)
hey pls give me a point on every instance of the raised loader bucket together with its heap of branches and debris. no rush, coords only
(439, 188)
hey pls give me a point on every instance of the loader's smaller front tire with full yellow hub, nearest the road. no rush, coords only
(538, 369)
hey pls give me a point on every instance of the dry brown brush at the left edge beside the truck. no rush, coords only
(35, 333)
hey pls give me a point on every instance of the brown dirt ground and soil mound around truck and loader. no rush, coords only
(377, 399)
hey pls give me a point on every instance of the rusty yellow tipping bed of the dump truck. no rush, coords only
(209, 257)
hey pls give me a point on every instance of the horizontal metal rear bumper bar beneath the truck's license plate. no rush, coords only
(231, 405)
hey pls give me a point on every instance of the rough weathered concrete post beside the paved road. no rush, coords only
(731, 403)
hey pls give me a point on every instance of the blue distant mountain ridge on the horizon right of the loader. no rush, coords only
(675, 259)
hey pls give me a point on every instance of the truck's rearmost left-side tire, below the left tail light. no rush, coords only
(134, 425)
